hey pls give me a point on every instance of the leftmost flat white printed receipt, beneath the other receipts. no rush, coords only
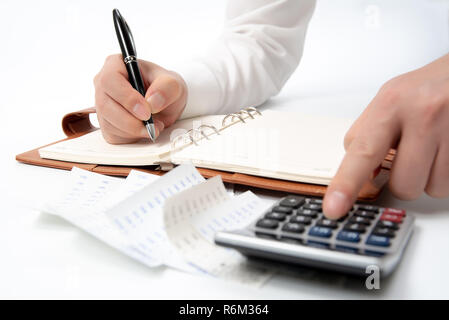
(85, 199)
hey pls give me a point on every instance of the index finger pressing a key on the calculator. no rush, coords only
(364, 154)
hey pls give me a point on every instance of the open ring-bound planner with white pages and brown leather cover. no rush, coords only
(282, 151)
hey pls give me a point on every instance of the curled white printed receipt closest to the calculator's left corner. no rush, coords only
(191, 219)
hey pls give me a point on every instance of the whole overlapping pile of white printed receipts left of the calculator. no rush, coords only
(167, 220)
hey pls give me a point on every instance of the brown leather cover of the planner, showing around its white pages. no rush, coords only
(78, 123)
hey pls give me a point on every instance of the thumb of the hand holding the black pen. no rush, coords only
(163, 91)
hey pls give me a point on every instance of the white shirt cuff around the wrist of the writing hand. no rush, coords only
(203, 90)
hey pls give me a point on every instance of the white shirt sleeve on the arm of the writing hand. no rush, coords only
(260, 47)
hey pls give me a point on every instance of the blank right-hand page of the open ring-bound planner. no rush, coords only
(280, 145)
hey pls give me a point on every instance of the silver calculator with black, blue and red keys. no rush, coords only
(295, 230)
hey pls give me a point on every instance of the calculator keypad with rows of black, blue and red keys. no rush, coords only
(366, 229)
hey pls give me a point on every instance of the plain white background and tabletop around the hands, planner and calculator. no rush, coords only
(51, 51)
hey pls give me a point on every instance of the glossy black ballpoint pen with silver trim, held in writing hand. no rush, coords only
(126, 41)
